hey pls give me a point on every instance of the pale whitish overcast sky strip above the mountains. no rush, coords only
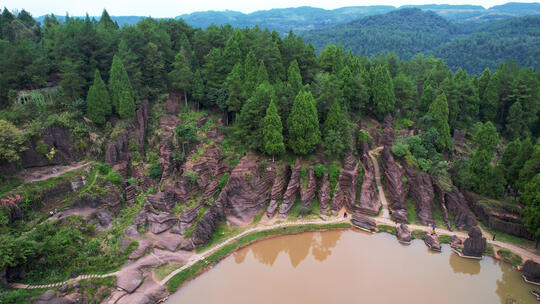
(173, 8)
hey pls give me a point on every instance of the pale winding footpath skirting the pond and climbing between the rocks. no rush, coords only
(383, 219)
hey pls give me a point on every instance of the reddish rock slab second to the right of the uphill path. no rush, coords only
(421, 191)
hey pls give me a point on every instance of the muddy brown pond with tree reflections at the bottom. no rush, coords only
(352, 267)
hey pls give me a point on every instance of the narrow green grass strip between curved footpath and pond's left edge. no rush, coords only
(184, 276)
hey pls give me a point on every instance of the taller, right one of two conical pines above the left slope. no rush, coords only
(119, 84)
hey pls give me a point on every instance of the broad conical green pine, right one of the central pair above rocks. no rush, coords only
(303, 125)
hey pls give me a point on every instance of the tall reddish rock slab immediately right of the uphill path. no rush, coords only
(395, 190)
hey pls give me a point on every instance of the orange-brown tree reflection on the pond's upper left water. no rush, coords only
(297, 247)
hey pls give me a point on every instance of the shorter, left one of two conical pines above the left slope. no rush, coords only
(98, 102)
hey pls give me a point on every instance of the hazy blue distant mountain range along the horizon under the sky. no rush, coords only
(309, 18)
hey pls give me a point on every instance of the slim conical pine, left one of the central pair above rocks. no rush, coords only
(273, 132)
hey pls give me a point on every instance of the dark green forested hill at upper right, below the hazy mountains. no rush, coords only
(410, 31)
